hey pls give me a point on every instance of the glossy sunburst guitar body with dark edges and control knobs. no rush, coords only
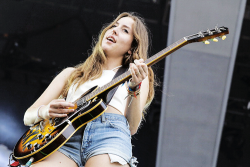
(45, 137)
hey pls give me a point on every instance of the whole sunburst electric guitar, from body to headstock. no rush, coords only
(45, 137)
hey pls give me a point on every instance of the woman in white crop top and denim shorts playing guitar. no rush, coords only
(106, 141)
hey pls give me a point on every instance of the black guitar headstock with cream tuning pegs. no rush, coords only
(212, 34)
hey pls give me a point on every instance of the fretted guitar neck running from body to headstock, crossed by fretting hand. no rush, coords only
(149, 62)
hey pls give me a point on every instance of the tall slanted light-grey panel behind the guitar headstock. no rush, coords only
(196, 84)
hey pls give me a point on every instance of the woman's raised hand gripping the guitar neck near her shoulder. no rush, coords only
(139, 71)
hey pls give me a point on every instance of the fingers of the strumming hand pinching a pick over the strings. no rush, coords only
(60, 108)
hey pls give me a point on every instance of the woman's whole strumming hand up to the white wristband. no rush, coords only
(56, 108)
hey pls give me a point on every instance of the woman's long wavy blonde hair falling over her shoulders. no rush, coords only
(92, 68)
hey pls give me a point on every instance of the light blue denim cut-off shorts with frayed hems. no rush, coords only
(107, 134)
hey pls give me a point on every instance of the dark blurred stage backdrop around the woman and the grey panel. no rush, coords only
(39, 38)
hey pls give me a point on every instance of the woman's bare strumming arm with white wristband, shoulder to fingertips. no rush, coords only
(48, 105)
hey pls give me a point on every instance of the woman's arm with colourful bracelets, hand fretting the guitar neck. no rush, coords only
(134, 110)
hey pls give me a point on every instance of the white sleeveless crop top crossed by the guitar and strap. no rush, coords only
(118, 101)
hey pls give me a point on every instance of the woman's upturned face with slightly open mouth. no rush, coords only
(118, 39)
